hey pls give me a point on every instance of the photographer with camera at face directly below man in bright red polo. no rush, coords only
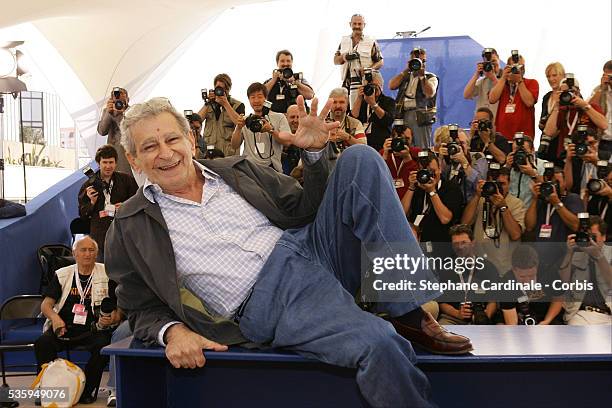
(483, 137)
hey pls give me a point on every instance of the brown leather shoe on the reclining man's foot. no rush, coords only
(433, 337)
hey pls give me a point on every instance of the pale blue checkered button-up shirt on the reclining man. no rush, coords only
(220, 244)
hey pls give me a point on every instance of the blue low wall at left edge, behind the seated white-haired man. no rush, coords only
(47, 222)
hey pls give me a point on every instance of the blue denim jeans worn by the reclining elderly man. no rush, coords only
(304, 298)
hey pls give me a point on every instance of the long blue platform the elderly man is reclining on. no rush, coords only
(511, 366)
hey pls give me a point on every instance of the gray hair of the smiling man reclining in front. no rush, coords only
(145, 110)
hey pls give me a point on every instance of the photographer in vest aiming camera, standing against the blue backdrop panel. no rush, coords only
(416, 97)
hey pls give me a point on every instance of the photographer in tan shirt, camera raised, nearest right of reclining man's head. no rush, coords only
(221, 113)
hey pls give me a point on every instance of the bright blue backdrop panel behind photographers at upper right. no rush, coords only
(452, 59)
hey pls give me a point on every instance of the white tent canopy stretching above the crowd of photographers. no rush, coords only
(80, 50)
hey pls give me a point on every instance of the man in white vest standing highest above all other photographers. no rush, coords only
(356, 53)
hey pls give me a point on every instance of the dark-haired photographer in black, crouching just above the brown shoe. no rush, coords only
(467, 306)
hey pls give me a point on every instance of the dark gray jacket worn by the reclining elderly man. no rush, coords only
(140, 258)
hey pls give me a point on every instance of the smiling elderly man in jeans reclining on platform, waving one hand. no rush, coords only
(214, 253)
